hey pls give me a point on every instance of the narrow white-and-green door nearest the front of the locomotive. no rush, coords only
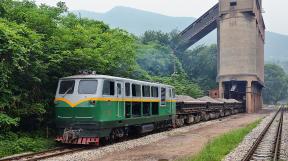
(120, 99)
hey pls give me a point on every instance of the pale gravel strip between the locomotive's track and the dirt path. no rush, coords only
(126, 145)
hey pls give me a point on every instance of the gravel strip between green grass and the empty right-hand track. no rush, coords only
(238, 153)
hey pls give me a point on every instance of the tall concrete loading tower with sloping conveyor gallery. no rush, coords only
(240, 37)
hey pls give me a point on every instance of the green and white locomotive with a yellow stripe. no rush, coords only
(91, 107)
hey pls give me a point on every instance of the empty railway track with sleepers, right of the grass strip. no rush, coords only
(267, 145)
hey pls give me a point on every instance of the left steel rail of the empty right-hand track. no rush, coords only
(251, 151)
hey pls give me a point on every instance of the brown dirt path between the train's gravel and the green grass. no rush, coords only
(183, 144)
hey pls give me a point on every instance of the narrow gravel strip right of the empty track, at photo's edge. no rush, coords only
(284, 139)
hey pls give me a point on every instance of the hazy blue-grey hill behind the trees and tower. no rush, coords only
(138, 21)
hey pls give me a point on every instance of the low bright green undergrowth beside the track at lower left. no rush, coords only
(15, 143)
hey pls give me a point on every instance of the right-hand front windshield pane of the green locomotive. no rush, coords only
(87, 86)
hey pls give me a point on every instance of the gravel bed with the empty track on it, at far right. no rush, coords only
(268, 141)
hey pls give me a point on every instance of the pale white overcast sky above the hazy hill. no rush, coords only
(275, 11)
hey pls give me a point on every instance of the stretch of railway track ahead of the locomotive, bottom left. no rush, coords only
(45, 154)
